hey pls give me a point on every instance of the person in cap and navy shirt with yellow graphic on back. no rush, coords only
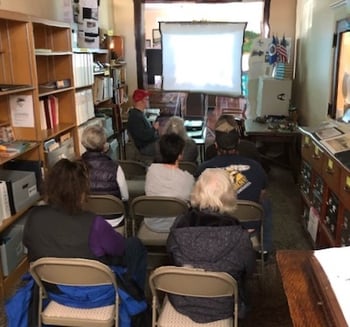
(250, 176)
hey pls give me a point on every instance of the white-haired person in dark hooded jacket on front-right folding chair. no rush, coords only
(211, 238)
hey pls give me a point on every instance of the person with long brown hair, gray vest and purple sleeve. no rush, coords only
(61, 228)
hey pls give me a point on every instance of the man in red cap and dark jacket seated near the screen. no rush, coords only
(139, 128)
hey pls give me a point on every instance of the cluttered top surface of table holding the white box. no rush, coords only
(252, 127)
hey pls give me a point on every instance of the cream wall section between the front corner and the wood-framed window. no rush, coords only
(315, 27)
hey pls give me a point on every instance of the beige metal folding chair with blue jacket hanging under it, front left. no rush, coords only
(73, 272)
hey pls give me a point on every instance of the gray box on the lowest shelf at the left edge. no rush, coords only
(11, 249)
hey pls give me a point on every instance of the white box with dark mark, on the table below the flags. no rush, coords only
(273, 96)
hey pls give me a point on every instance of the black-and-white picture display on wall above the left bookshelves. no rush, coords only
(85, 13)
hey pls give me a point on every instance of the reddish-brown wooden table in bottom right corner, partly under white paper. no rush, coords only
(305, 304)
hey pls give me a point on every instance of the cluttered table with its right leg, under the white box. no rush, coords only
(290, 138)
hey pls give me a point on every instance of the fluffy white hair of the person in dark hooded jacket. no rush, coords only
(214, 191)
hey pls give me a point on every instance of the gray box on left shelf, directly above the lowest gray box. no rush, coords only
(22, 188)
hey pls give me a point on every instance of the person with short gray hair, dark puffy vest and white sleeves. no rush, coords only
(106, 176)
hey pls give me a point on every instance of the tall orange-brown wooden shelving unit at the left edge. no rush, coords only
(35, 64)
